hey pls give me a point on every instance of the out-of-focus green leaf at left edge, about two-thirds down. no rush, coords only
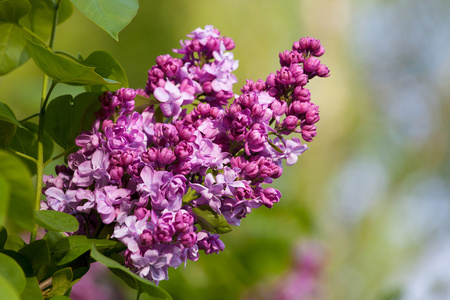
(21, 195)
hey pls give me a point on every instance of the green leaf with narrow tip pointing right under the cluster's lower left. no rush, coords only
(74, 246)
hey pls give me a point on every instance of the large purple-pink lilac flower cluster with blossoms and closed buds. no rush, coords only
(152, 172)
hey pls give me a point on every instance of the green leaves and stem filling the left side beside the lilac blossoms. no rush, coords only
(56, 259)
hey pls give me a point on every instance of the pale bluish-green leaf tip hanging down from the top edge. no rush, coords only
(110, 15)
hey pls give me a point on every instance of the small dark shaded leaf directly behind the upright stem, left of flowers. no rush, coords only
(25, 141)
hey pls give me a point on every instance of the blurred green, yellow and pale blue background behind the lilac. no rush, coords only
(370, 199)
